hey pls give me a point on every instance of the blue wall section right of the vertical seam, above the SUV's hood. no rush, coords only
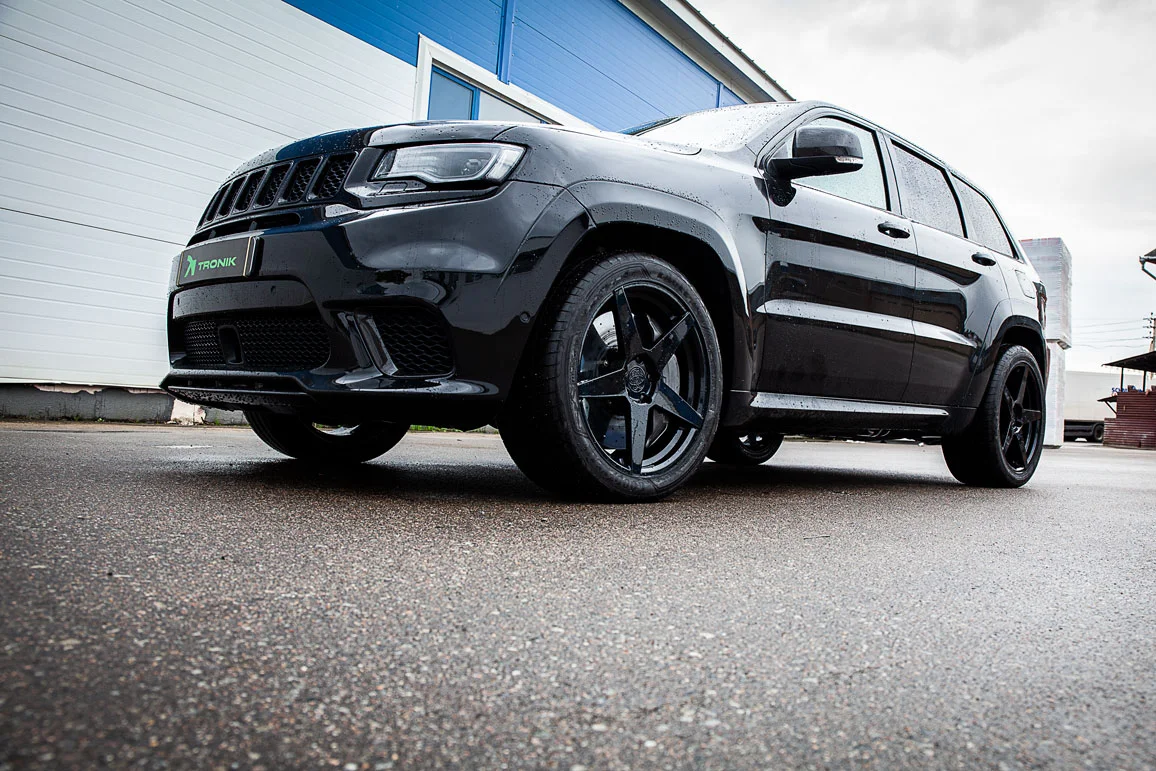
(599, 62)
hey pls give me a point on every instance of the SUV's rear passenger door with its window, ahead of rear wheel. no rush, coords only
(958, 283)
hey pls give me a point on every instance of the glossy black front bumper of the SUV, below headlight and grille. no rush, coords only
(453, 288)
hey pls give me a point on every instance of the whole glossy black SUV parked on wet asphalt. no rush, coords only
(619, 306)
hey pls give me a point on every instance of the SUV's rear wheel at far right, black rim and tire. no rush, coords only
(1003, 447)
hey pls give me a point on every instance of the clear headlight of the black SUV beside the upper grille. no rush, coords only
(450, 165)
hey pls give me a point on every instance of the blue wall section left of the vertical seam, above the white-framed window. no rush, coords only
(471, 28)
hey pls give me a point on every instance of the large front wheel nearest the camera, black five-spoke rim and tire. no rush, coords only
(620, 391)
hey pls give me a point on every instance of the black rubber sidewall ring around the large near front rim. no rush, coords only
(627, 271)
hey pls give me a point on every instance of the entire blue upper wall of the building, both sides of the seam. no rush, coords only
(592, 58)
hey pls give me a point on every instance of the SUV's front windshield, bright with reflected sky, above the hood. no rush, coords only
(727, 129)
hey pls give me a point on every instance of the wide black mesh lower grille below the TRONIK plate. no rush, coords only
(269, 343)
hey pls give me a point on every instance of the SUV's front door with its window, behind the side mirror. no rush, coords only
(840, 284)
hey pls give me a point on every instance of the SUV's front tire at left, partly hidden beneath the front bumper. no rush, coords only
(300, 439)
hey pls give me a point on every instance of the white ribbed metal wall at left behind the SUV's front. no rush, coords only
(118, 121)
